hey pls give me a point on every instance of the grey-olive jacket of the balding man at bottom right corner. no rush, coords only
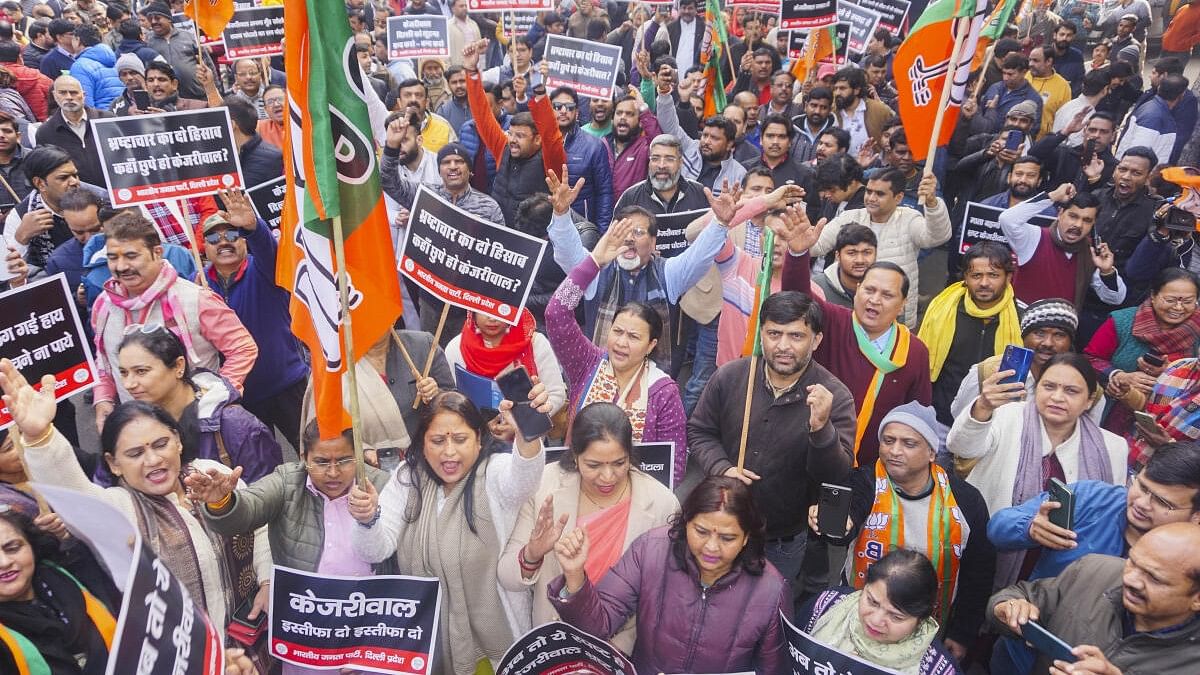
(1083, 606)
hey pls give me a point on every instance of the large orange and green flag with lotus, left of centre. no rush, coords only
(332, 171)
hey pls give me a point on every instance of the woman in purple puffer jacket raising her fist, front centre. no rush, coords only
(705, 596)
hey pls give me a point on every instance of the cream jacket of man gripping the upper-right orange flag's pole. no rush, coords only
(902, 240)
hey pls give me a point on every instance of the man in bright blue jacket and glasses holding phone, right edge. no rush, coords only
(1105, 519)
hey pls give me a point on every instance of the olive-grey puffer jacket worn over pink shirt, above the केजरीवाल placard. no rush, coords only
(295, 516)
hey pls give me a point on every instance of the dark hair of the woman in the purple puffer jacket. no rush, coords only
(722, 494)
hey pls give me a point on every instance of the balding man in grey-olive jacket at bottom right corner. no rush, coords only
(1121, 616)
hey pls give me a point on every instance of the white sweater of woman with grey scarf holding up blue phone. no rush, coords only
(999, 444)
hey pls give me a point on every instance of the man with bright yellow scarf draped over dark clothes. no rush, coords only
(970, 321)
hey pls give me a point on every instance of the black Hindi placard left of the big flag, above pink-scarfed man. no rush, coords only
(167, 156)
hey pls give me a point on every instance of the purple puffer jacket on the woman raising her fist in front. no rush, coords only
(733, 626)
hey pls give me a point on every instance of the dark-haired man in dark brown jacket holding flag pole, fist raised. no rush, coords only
(801, 429)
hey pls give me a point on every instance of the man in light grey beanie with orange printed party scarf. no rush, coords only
(939, 516)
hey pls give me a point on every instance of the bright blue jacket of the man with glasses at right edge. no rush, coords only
(1100, 524)
